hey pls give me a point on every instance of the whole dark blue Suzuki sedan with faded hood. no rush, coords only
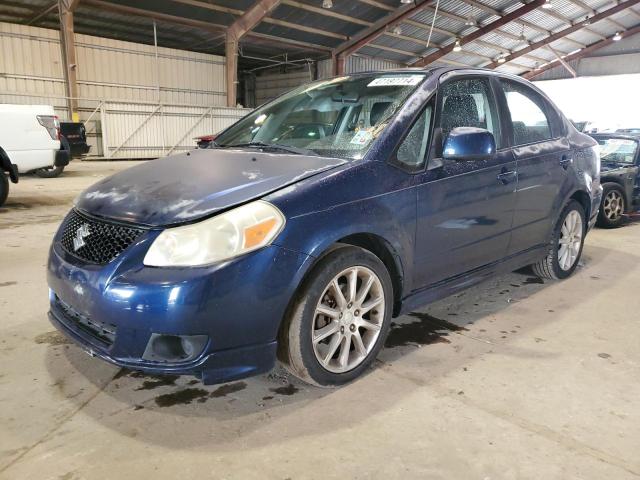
(318, 217)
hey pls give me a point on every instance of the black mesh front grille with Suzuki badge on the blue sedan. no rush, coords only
(95, 241)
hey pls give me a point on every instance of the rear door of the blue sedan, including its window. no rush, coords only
(543, 156)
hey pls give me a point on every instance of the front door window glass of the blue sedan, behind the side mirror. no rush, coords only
(468, 103)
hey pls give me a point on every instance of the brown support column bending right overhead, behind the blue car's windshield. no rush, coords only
(238, 29)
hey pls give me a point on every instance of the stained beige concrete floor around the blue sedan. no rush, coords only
(527, 381)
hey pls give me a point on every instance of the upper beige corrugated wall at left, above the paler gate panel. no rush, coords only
(30, 63)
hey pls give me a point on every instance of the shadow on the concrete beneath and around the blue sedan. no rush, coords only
(429, 343)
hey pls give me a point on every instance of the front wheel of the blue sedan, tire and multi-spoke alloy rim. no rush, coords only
(311, 359)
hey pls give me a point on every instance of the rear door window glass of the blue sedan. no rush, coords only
(529, 117)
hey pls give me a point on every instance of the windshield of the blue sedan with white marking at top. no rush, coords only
(340, 117)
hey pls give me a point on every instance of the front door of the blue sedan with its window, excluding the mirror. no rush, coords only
(464, 208)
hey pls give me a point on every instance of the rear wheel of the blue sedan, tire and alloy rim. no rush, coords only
(555, 265)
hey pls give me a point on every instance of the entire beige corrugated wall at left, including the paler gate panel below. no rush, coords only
(118, 90)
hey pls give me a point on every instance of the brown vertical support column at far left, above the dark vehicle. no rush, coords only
(68, 50)
